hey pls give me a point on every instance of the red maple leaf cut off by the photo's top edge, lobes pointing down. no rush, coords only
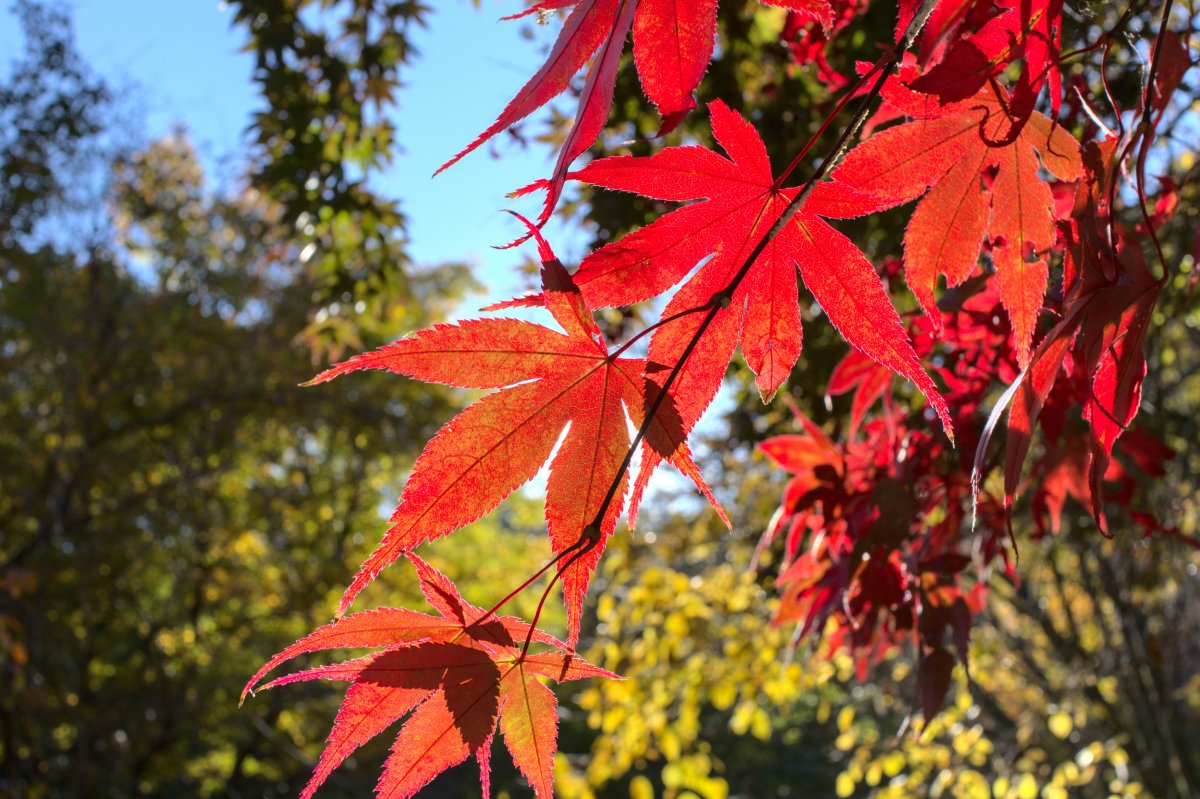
(673, 46)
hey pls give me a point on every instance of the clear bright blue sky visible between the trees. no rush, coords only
(183, 63)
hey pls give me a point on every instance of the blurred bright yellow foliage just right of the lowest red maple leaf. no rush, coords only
(688, 646)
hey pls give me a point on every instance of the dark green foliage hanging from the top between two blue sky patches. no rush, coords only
(328, 74)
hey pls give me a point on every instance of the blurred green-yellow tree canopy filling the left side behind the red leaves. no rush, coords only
(173, 508)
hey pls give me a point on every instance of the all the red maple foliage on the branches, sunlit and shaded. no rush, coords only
(885, 532)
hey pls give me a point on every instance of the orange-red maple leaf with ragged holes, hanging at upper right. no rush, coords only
(947, 151)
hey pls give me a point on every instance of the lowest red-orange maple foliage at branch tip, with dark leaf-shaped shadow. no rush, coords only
(455, 680)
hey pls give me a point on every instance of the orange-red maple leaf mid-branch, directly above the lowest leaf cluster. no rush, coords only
(551, 382)
